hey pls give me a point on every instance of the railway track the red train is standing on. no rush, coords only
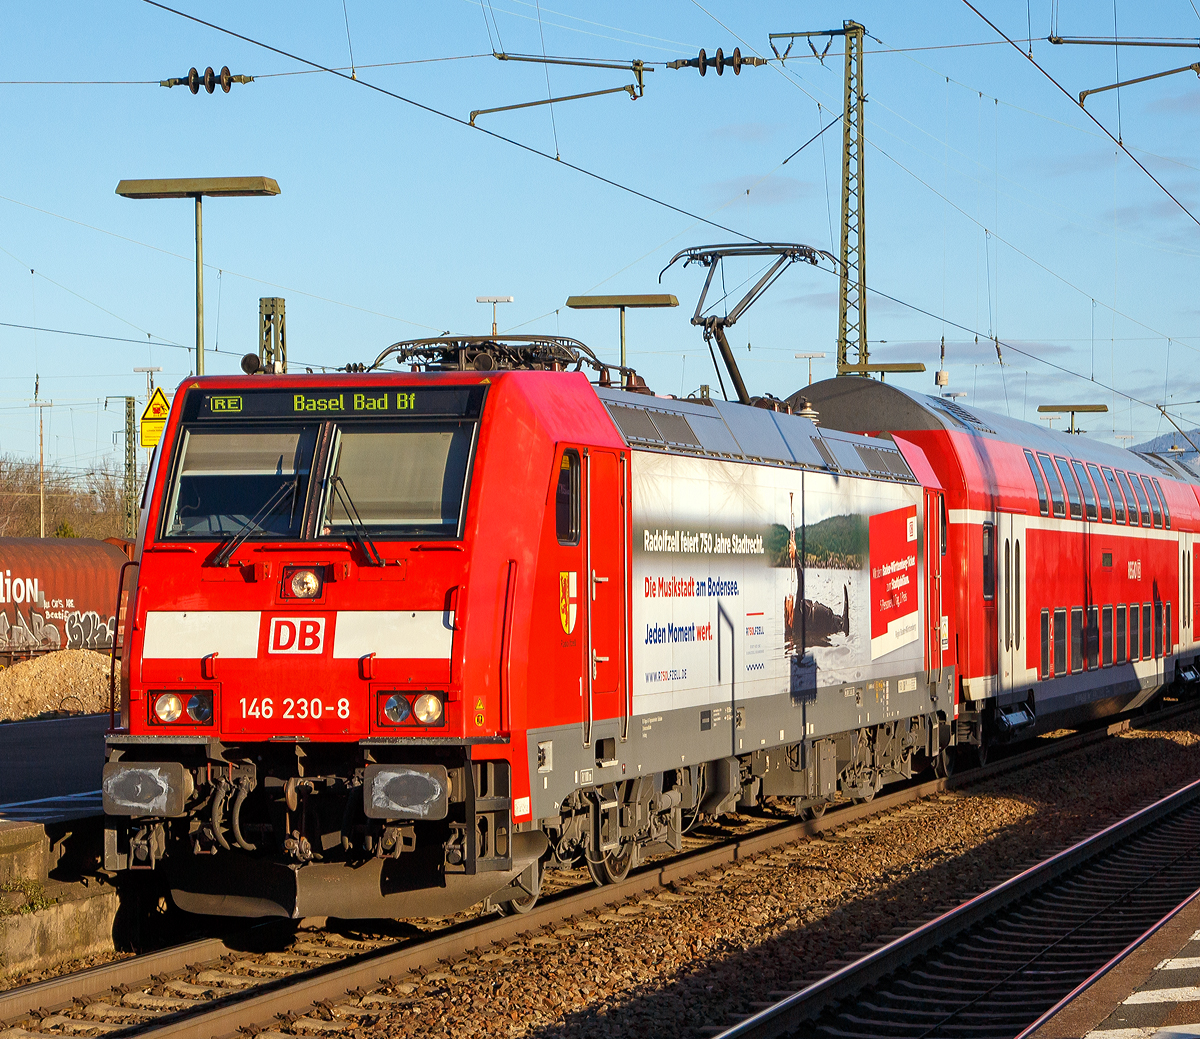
(219, 986)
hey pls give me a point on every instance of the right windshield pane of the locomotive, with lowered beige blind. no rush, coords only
(403, 482)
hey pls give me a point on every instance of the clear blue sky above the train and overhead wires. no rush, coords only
(993, 202)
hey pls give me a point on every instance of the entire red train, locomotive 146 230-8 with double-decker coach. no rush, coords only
(399, 641)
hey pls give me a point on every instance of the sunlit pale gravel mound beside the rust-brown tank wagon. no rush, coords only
(65, 682)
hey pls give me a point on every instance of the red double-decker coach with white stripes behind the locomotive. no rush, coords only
(1073, 588)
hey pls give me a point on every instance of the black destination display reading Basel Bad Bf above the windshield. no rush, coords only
(350, 403)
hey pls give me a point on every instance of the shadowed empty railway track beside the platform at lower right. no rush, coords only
(998, 965)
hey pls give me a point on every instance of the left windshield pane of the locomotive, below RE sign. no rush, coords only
(242, 481)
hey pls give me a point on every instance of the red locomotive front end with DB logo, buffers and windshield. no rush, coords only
(296, 738)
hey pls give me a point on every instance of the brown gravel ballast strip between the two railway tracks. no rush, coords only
(711, 948)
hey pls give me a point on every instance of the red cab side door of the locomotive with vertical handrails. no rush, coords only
(607, 564)
